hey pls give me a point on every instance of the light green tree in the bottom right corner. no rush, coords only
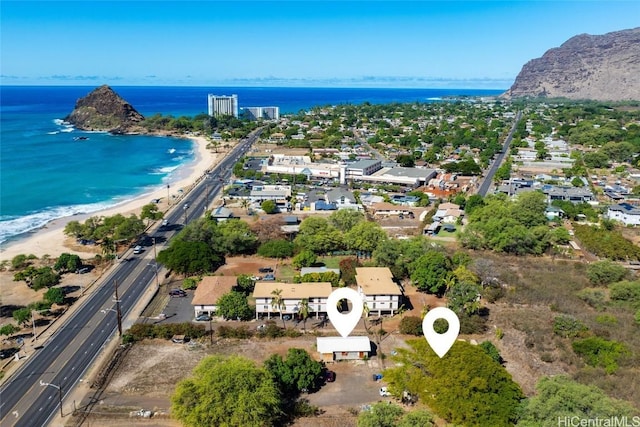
(559, 396)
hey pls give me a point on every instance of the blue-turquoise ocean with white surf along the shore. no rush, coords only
(47, 173)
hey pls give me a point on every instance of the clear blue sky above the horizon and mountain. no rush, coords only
(428, 44)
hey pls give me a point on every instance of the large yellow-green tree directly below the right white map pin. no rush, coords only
(465, 387)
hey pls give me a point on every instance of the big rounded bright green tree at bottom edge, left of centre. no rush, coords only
(227, 392)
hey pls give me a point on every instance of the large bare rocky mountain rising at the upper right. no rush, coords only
(585, 67)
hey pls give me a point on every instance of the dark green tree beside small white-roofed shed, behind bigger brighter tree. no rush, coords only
(297, 372)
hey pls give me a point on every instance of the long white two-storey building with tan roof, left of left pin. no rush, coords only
(291, 294)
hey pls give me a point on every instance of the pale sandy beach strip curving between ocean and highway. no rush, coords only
(50, 240)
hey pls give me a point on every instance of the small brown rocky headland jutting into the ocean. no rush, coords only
(104, 110)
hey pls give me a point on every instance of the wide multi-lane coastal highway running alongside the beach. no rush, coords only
(31, 397)
